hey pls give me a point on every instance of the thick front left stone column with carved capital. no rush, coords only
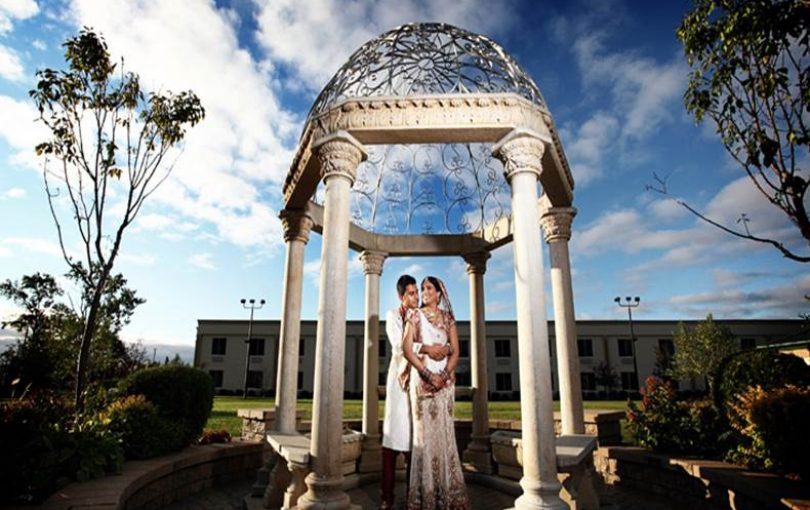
(339, 154)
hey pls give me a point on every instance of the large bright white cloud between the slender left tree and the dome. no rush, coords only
(245, 142)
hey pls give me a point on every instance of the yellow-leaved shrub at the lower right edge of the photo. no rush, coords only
(773, 425)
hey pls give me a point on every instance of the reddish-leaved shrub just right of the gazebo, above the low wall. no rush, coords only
(666, 424)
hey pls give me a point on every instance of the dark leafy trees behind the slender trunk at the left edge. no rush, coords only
(42, 359)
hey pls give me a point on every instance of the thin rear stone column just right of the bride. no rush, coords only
(477, 454)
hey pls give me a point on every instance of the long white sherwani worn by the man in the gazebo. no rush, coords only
(397, 421)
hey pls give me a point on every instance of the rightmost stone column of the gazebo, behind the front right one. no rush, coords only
(556, 223)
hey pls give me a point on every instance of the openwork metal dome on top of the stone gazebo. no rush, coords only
(427, 58)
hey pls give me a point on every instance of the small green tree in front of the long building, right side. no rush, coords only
(698, 352)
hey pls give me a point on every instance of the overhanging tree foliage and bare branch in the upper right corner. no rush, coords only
(750, 76)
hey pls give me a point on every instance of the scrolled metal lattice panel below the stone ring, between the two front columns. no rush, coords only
(428, 189)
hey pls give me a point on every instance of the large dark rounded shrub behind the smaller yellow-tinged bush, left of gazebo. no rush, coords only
(183, 395)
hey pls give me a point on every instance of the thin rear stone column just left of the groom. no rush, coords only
(371, 457)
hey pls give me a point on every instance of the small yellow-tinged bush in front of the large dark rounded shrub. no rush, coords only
(144, 433)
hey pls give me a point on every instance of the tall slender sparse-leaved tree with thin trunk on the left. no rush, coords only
(109, 142)
